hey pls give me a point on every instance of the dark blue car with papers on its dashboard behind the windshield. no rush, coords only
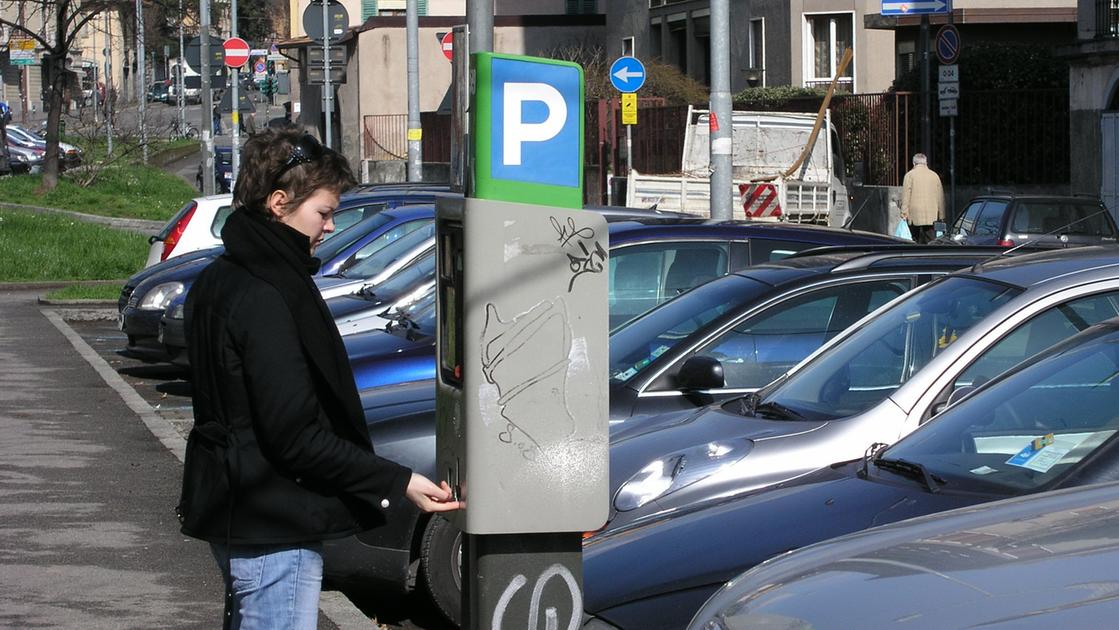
(1049, 424)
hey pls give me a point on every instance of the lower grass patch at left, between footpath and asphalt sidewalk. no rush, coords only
(50, 248)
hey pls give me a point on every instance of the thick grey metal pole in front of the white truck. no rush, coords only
(722, 143)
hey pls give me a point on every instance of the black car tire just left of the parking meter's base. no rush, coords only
(440, 565)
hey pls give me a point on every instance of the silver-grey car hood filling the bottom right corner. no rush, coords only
(1023, 561)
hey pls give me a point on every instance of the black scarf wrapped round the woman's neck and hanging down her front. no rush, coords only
(280, 256)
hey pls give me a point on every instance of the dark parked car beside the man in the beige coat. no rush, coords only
(1045, 221)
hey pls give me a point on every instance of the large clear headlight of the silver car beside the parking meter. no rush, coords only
(679, 471)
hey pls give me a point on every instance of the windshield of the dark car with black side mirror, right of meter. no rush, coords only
(641, 342)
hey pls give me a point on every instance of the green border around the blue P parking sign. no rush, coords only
(486, 185)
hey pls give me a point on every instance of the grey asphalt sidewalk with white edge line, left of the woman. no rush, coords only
(89, 535)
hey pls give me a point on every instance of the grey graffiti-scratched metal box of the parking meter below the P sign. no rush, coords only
(522, 401)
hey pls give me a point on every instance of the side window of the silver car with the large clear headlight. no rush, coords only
(1040, 333)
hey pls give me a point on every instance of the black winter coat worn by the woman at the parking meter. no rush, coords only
(279, 453)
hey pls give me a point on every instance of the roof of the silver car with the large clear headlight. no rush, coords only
(1057, 268)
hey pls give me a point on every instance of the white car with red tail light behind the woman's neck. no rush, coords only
(196, 227)
